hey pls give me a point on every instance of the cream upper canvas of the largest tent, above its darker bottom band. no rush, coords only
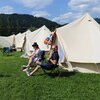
(80, 40)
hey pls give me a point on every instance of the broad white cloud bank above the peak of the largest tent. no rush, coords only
(78, 8)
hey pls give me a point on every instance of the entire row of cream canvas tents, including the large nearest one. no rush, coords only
(78, 43)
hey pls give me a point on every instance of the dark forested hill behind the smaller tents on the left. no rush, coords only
(15, 23)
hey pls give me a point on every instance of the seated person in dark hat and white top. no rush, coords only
(33, 57)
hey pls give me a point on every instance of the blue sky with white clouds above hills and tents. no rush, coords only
(60, 11)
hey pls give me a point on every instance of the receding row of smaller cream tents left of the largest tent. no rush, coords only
(26, 39)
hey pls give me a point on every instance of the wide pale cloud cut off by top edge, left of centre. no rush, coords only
(37, 4)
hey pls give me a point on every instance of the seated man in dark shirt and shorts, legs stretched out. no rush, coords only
(52, 62)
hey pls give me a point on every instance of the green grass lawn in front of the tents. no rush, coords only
(15, 85)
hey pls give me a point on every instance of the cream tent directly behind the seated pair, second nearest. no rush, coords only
(38, 36)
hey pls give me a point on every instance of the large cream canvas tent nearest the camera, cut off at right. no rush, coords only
(79, 45)
